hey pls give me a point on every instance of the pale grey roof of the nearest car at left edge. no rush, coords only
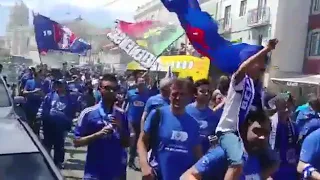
(14, 138)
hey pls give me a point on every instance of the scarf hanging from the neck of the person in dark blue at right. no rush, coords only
(275, 140)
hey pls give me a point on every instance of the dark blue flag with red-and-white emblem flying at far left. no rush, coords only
(51, 35)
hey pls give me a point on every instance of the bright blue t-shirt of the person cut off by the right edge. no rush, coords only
(310, 151)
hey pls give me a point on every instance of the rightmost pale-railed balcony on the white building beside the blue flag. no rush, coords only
(258, 17)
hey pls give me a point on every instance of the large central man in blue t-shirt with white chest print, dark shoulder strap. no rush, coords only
(173, 136)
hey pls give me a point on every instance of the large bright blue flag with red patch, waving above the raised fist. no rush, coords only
(202, 32)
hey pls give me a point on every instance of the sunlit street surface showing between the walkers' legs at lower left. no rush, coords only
(75, 160)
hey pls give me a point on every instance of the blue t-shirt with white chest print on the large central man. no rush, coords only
(178, 135)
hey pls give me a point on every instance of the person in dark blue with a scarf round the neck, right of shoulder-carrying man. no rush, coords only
(283, 139)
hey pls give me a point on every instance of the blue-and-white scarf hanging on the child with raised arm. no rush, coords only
(247, 98)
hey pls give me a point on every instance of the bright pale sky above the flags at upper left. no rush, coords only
(98, 12)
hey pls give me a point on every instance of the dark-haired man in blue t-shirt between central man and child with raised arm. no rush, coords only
(201, 112)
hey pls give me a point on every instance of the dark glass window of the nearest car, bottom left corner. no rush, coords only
(25, 166)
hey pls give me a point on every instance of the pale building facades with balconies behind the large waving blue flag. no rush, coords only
(295, 23)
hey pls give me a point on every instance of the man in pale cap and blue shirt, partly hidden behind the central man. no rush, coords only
(161, 99)
